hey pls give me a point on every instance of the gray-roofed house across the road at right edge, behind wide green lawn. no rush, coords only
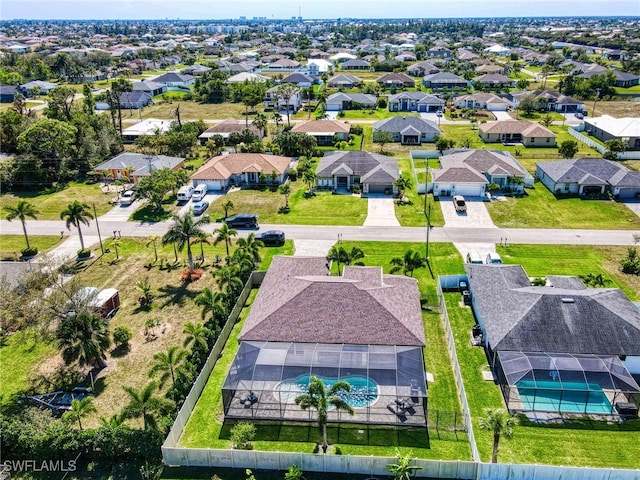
(589, 176)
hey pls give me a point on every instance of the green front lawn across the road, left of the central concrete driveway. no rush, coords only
(322, 209)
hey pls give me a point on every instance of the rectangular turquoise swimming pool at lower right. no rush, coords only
(571, 398)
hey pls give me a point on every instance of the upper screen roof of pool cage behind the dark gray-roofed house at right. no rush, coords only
(585, 372)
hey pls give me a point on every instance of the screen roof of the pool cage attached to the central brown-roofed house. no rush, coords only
(263, 365)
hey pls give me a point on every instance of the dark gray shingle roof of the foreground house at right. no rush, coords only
(519, 317)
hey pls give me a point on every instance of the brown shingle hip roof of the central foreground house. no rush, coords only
(299, 302)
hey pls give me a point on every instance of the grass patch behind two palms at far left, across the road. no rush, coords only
(53, 201)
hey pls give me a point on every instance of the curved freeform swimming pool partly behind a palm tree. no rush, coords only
(364, 391)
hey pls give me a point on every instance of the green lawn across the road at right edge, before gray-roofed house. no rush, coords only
(539, 208)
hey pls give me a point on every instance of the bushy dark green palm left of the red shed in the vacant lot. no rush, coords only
(84, 336)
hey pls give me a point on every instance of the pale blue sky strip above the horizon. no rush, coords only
(217, 9)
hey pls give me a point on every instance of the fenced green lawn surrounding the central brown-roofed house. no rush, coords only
(203, 431)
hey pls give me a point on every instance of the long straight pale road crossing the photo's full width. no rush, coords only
(383, 234)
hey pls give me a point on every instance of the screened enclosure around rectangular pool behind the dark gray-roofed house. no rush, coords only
(565, 383)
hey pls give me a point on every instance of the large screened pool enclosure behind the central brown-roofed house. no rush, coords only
(388, 385)
